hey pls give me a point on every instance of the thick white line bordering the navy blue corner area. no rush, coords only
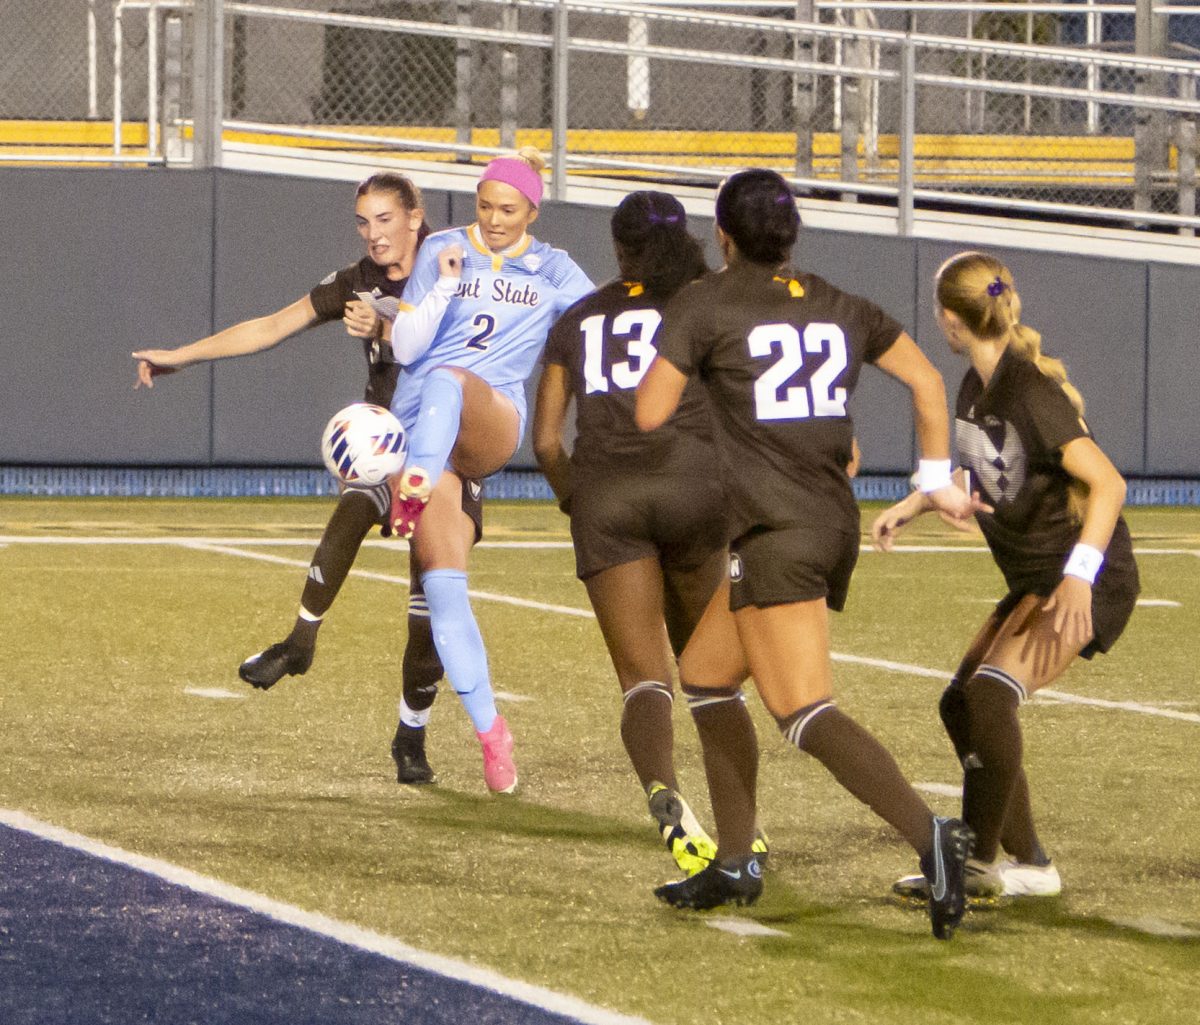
(343, 932)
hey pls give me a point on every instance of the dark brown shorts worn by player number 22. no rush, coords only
(789, 565)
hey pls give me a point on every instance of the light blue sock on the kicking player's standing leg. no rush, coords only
(460, 645)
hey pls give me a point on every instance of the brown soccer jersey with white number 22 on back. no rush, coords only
(781, 357)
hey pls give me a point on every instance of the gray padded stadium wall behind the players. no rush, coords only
(98, 263)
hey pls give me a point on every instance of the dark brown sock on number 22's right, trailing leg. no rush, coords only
(863, 766)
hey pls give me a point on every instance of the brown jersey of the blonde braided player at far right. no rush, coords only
(1011, 436)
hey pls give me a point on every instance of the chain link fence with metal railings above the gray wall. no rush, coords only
(999, 105)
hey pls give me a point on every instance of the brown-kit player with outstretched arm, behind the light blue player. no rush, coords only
(391, 218)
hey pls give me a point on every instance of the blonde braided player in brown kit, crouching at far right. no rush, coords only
(1057, 532)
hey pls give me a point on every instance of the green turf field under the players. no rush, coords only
(292, 794)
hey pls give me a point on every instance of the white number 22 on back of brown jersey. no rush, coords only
(773, 398)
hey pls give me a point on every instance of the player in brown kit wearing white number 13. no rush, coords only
(647, 520)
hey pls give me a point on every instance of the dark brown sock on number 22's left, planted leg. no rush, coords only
(731, 764)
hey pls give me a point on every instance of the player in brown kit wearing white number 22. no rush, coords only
(781, 353)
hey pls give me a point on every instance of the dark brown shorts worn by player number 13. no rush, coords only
(634, 517)
